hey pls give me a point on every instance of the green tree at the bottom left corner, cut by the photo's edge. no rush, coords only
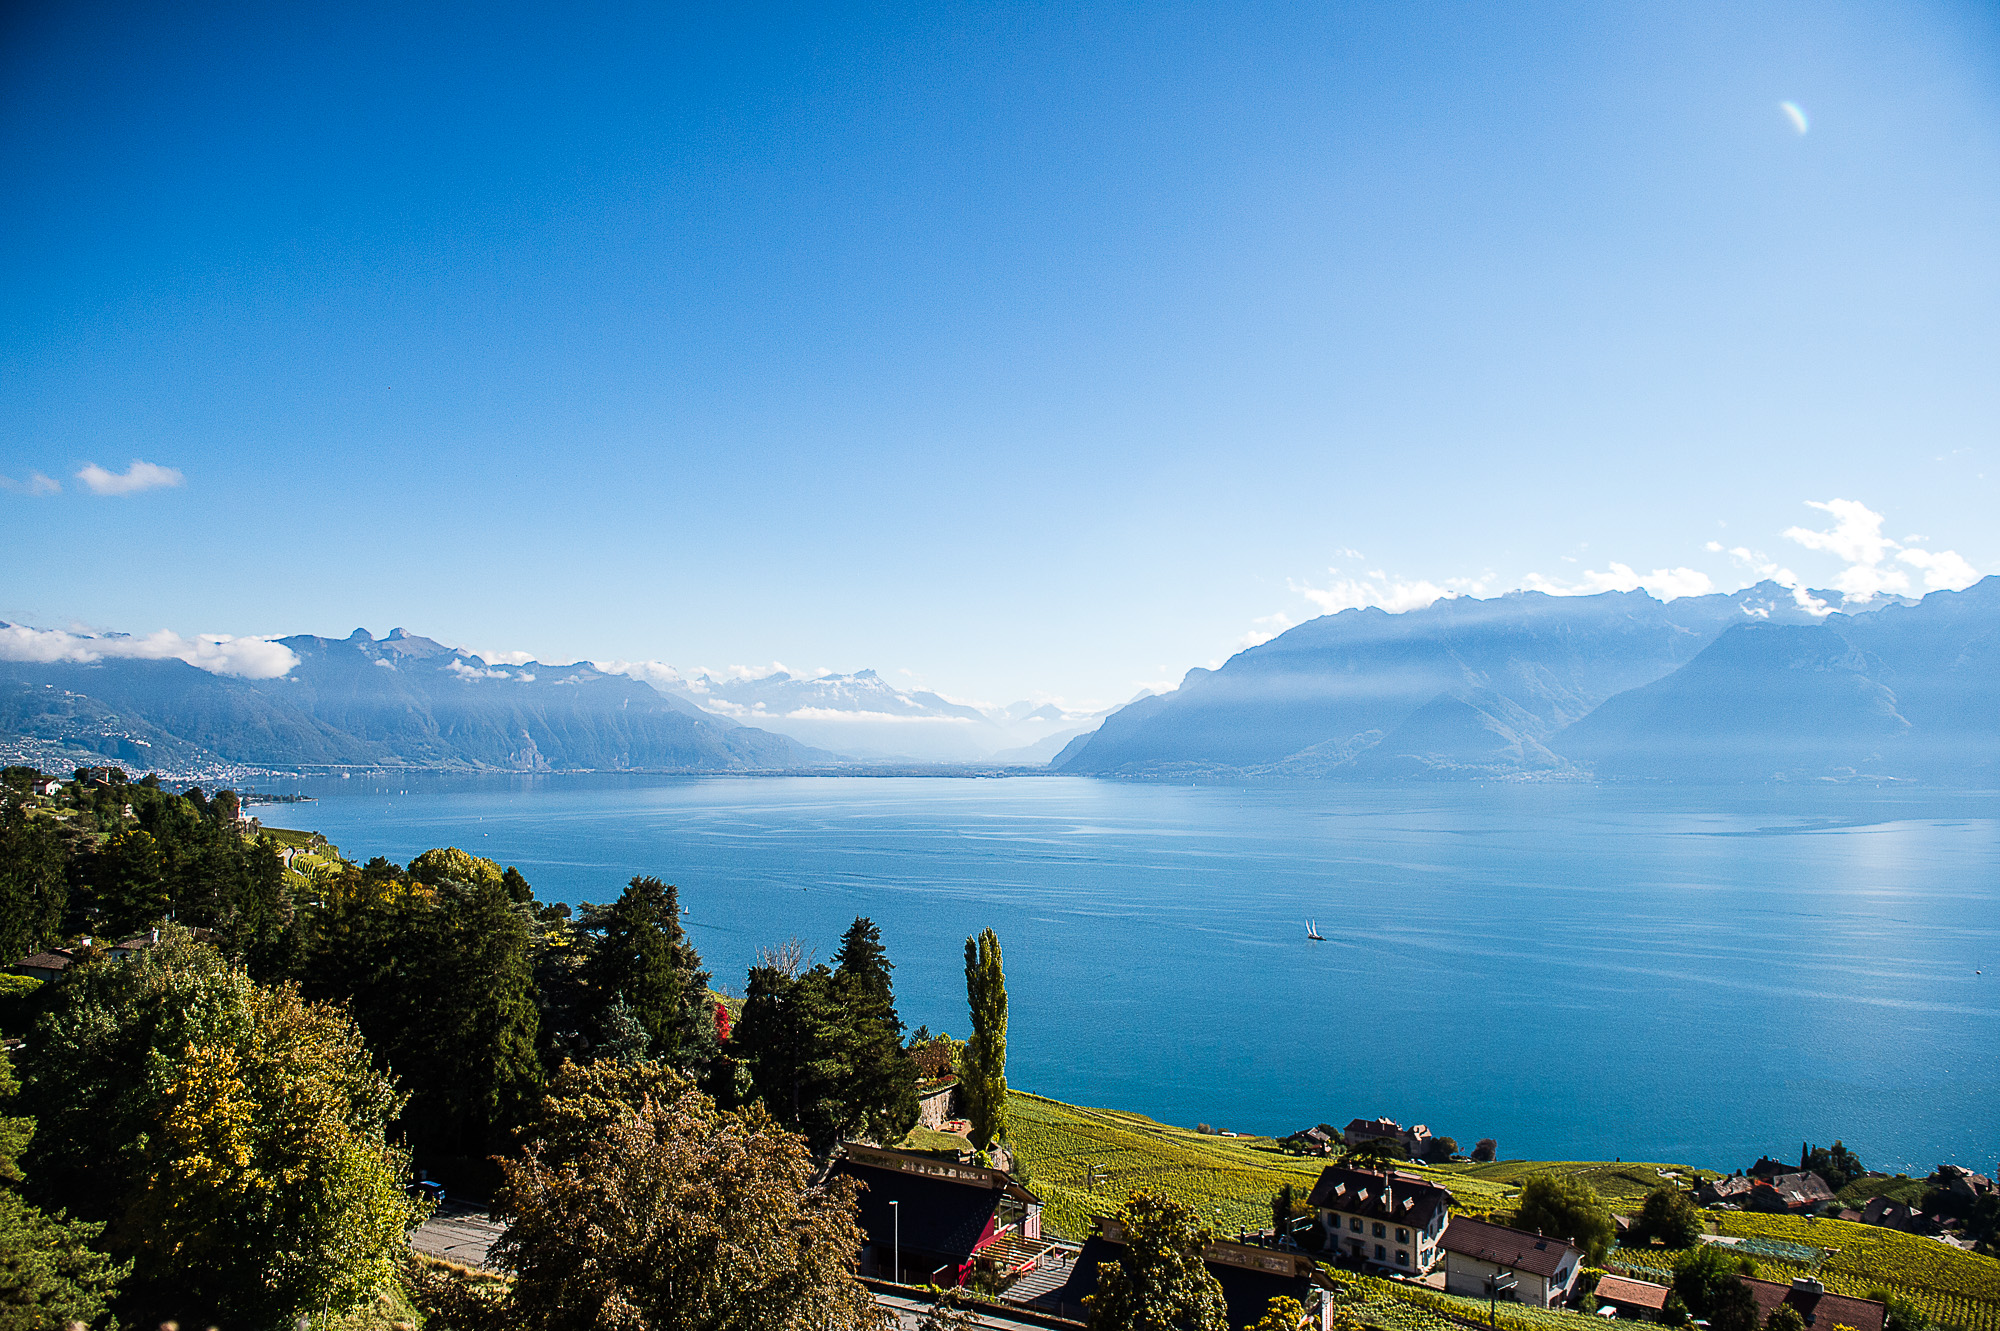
(51, 1268)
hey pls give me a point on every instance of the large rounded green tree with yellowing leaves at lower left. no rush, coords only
(233, 1136)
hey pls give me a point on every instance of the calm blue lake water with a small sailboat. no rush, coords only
(1577, 972)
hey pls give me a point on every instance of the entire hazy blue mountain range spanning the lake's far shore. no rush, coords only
(1743, 686)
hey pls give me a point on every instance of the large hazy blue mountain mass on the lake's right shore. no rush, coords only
(1739, 686)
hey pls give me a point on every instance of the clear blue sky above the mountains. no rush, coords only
(1023, 349)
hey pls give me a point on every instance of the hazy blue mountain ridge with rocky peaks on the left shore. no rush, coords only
(363, 702)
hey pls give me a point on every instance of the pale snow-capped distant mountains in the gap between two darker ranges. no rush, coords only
(869, 718)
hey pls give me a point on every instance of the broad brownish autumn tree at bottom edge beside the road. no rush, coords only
(641, 1204)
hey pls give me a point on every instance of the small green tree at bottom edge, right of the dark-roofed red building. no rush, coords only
(1159, 1282)
